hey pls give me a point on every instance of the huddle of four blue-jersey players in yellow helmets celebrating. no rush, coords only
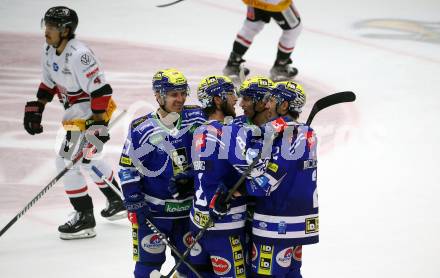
(182, 161)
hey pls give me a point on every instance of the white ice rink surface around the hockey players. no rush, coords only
(378, 161)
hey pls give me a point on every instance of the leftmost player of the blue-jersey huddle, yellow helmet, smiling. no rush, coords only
(158, 149)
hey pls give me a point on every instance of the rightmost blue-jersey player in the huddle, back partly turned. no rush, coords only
(286, 211)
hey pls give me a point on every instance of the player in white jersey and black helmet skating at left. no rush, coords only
(73, 74)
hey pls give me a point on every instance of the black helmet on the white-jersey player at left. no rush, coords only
(61, 17)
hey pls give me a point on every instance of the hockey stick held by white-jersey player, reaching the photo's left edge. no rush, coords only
(53, 181)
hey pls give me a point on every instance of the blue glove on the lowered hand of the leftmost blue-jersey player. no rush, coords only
(137, 207)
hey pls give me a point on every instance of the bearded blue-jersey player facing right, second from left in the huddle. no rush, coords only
(218, 157)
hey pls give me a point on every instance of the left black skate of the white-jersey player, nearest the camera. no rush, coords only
(81, 225)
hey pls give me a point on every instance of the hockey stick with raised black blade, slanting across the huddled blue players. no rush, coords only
(319, 105)
